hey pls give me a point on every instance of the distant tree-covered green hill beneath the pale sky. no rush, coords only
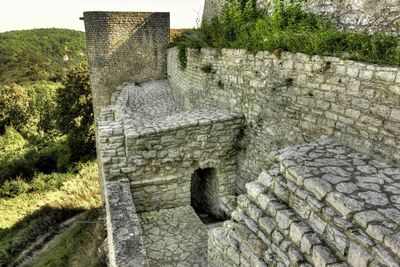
(39, 54)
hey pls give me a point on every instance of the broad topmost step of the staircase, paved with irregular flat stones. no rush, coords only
(363, 190)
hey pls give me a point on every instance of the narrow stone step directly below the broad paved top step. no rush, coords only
(348, 240)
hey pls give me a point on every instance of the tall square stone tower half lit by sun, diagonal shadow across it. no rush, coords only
(121, 43)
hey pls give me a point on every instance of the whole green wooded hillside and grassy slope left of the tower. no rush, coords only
(47, 169)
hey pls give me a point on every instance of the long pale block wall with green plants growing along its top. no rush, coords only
(288, 99)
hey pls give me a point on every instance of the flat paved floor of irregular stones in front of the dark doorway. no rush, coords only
(174, 237)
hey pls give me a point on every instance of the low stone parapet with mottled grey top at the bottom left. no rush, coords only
(125, 240)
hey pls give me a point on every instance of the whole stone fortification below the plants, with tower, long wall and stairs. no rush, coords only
(211, 131)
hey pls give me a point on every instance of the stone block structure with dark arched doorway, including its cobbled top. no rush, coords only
(160, 154)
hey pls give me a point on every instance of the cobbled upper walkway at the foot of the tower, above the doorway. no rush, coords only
(150, 107)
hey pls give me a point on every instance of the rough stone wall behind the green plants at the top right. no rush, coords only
(360, 15)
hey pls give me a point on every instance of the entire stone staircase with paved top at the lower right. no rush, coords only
(322, 204)
